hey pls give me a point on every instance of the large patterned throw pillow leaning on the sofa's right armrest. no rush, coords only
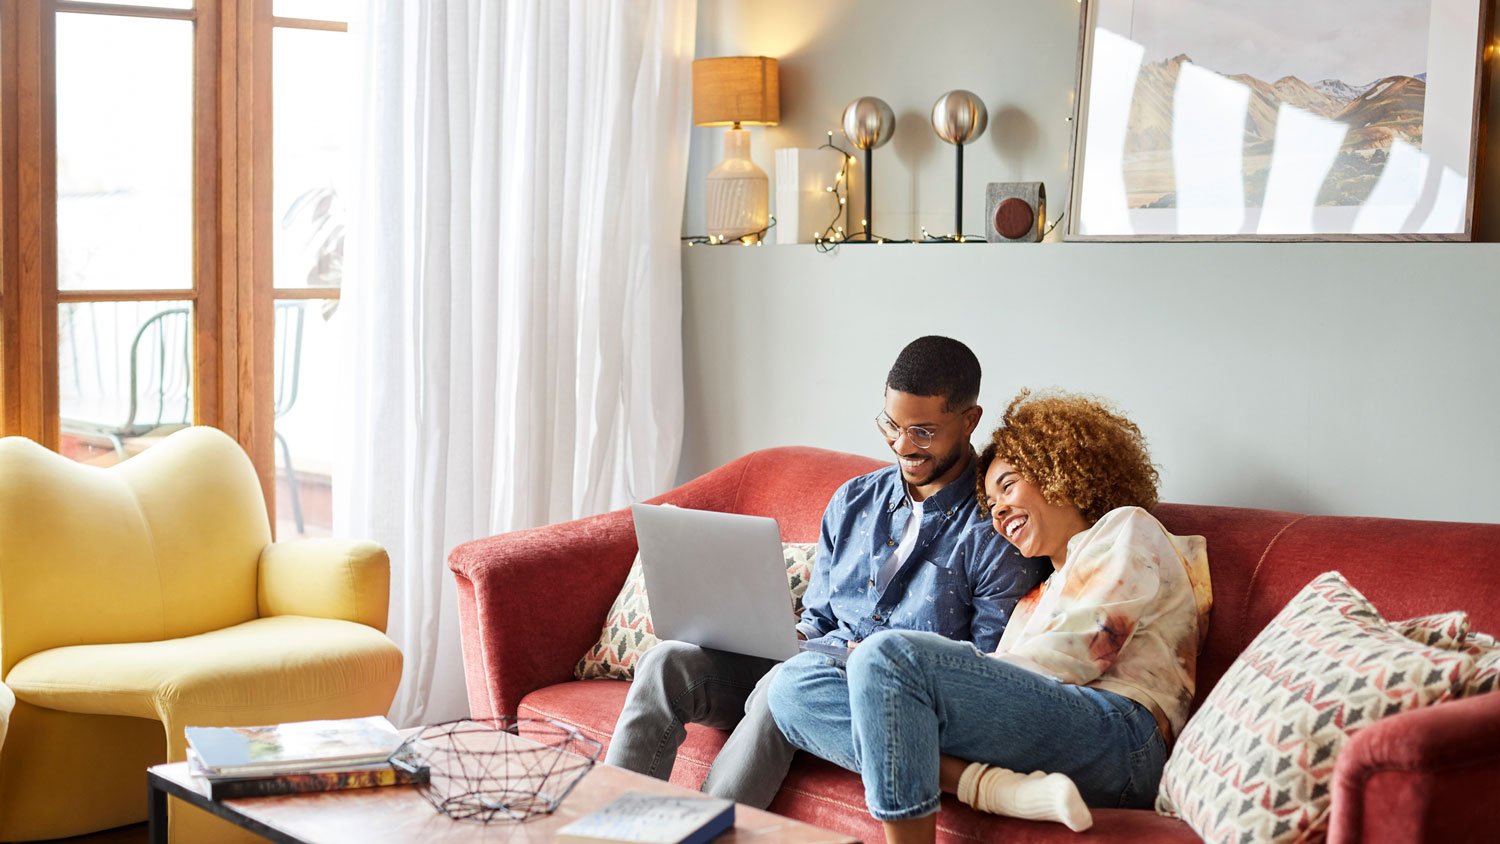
(1256, 762)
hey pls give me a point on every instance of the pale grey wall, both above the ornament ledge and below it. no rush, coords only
(1321, 379)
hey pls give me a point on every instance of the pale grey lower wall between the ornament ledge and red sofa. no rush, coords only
(1319, 379)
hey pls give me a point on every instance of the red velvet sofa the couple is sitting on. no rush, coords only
(533, 602)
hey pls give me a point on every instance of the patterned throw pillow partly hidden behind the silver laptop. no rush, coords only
(628, 627)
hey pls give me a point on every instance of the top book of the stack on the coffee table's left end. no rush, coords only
(301, 746)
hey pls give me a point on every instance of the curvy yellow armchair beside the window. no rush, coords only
(148, 597)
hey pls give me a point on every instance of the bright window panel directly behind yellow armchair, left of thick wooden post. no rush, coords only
(125, 232)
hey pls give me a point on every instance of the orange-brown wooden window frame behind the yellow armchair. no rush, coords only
(232, 295)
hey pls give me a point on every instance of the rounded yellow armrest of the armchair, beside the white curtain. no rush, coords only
(341, 579)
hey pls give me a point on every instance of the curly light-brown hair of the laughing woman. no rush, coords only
(1079, 450)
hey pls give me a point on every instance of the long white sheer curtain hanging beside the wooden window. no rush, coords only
(515, 353)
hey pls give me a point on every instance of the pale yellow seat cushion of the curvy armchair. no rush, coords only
(268, 665)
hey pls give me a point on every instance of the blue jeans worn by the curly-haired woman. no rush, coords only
(907, 696)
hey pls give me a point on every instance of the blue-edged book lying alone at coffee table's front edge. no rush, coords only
(653, 819)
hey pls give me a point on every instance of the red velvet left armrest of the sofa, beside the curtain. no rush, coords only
(533, 602)
